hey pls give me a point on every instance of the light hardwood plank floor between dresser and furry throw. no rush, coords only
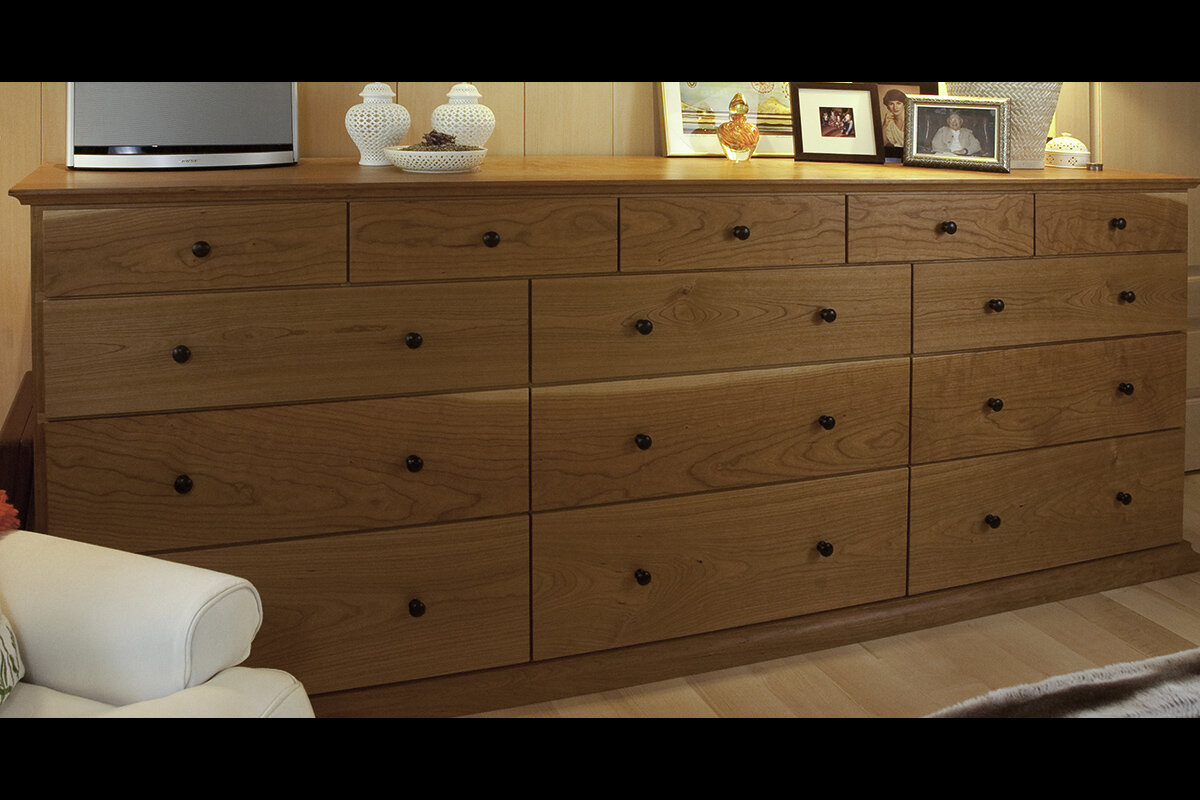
(914, 675)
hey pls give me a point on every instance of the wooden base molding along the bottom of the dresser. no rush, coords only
(599, 672)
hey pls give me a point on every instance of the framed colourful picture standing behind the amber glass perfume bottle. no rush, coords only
(693, 111)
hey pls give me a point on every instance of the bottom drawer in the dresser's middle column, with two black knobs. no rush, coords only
(622, 575)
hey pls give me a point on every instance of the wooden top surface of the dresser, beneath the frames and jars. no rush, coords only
(344, 179)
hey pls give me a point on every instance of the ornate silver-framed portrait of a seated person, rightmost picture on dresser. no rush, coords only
(957, 133)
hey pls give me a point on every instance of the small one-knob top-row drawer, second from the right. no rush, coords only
(939, 227)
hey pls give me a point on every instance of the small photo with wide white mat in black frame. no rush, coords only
(837, 122)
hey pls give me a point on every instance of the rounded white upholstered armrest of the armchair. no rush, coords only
(121, 628)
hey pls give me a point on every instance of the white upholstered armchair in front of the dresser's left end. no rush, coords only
(104, 633)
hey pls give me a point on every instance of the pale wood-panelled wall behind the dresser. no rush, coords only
(1149, 127)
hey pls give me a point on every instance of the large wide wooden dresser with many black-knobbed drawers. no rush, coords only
(568, 424)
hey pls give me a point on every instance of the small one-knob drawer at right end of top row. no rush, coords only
(1112, 222)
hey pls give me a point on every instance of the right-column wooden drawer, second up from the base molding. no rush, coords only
(1048, 395)
